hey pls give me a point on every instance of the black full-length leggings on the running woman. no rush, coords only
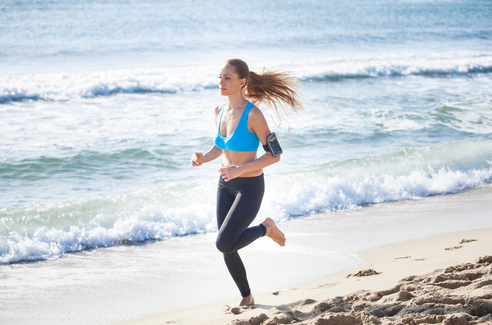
(238, 202)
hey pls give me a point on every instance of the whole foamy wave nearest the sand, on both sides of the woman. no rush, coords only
(43, 232)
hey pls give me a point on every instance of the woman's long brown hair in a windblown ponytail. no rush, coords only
(276, 88)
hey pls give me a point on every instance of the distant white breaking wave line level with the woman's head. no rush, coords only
(89, 84)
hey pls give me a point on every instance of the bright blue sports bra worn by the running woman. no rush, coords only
(242, 139)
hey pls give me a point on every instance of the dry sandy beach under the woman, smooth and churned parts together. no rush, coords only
(443, 279)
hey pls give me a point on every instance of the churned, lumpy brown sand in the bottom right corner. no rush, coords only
(458, 295)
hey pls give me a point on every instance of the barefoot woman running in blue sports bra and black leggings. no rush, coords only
(241, 126)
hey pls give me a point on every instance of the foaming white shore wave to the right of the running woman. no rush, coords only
(404, 175)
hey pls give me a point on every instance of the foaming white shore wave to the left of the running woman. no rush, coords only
(43, 232)
